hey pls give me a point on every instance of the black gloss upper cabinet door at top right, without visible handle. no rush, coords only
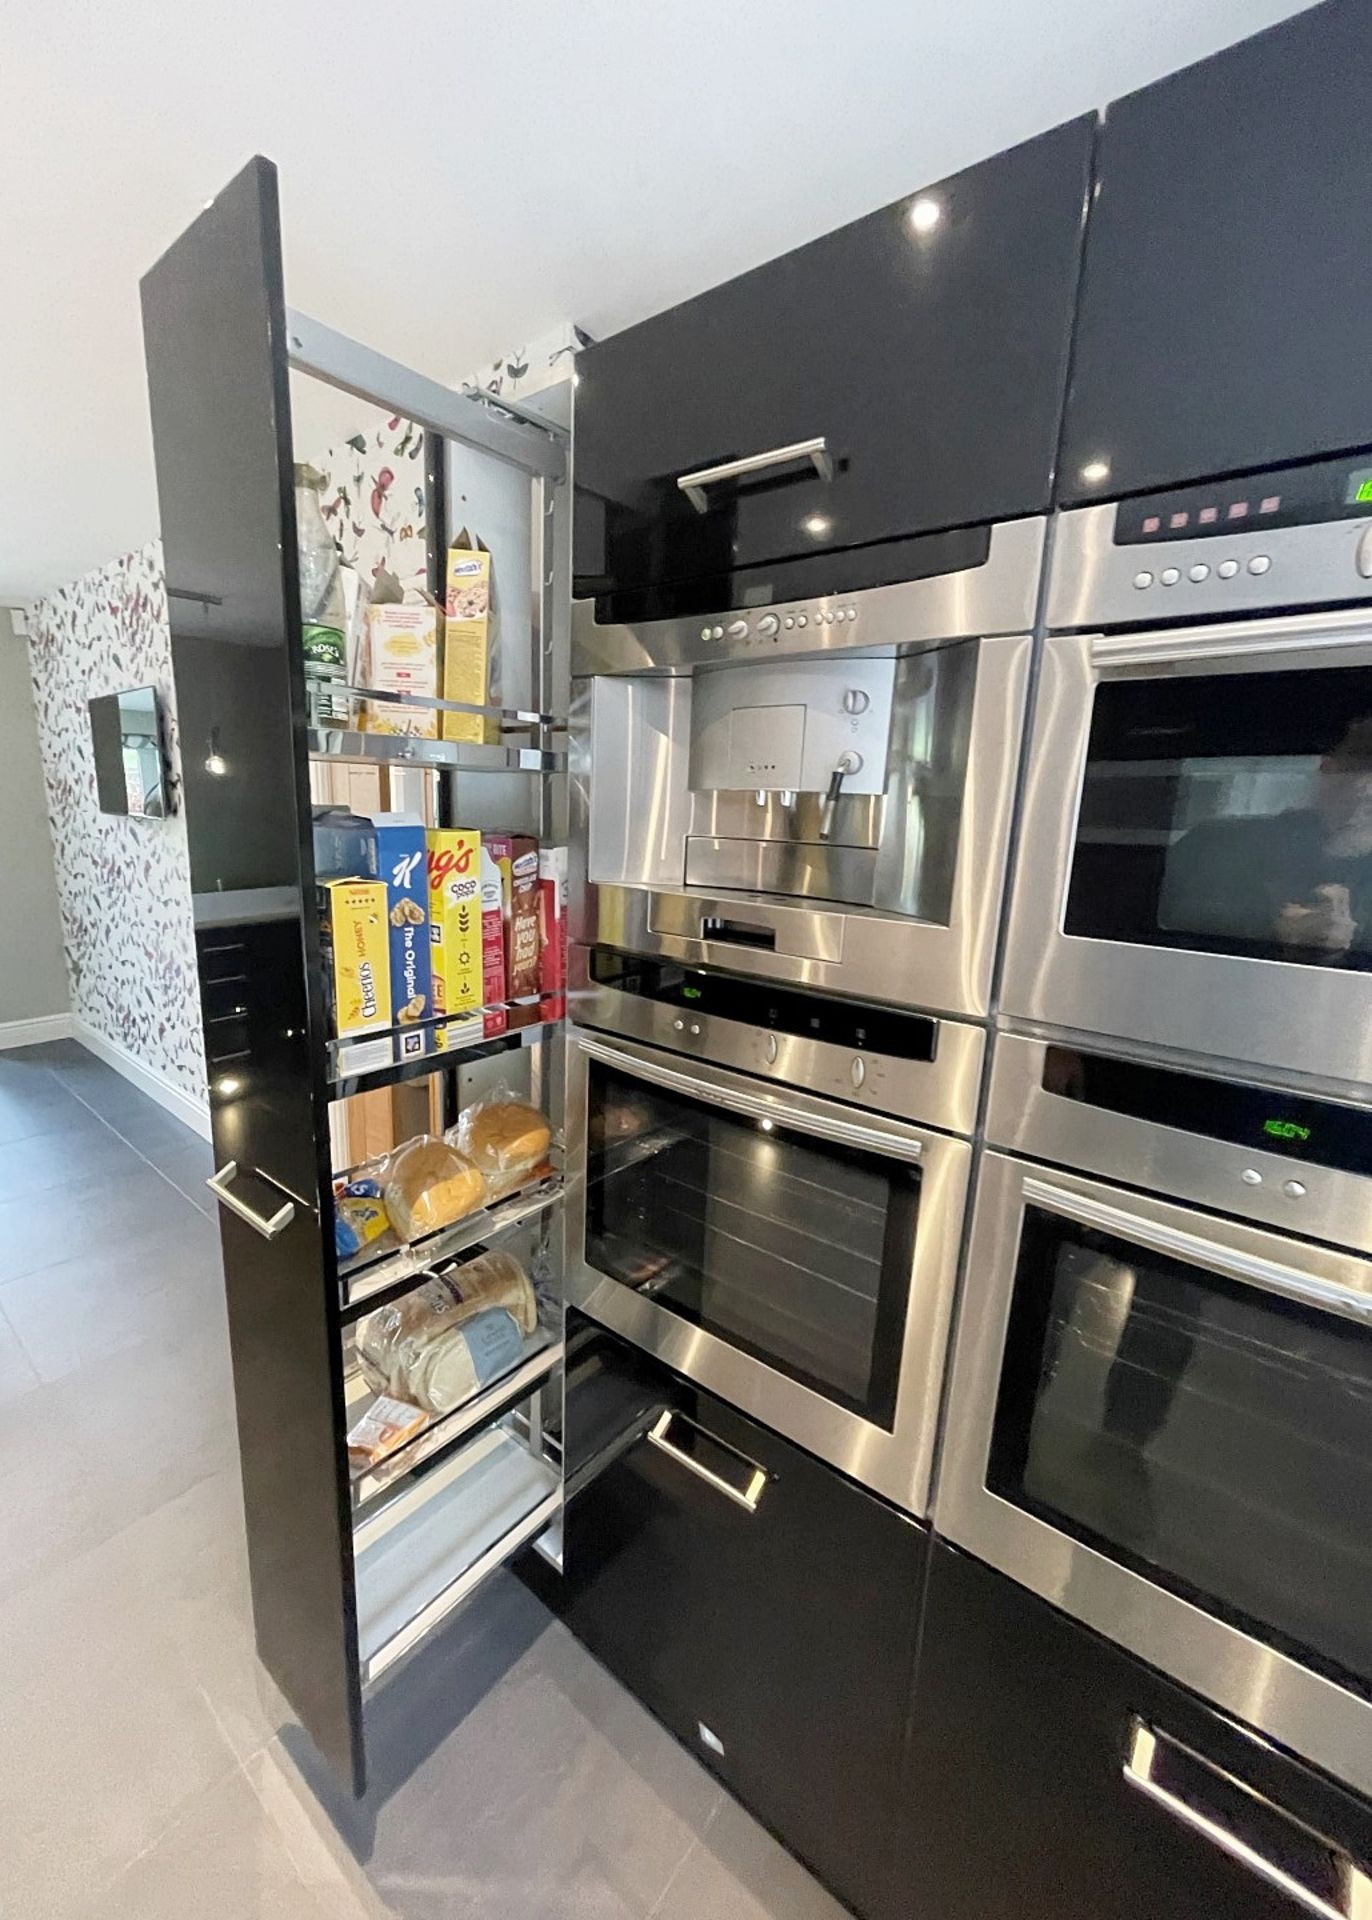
(1227, 279)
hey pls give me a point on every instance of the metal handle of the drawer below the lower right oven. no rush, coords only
(1352, 1884)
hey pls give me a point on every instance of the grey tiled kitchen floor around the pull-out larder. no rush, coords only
(145, 1773)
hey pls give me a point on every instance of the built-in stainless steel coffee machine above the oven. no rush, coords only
(813, 790)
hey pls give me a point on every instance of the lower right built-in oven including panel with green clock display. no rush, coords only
(1160, 1408)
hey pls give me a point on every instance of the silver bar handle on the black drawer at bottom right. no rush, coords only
(1337, 1888)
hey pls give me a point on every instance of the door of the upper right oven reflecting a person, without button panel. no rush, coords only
(1196, 857)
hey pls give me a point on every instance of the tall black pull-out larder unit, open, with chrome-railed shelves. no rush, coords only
(354, 1566)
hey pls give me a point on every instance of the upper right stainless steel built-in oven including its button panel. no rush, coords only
(1196, 852)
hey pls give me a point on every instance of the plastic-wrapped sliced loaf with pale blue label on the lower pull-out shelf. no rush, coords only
(438, 1345)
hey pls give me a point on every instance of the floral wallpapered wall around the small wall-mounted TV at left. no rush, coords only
(124, 886)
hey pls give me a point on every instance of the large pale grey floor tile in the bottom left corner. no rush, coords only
(103, 1737)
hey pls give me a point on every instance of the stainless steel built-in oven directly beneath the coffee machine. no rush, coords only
(751, 1203)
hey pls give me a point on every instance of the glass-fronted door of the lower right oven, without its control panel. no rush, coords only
(1162, 1422)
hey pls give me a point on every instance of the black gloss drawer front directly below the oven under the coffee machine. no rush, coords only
(740, 1587)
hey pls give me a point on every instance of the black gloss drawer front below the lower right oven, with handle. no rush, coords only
(1056, 1775)
